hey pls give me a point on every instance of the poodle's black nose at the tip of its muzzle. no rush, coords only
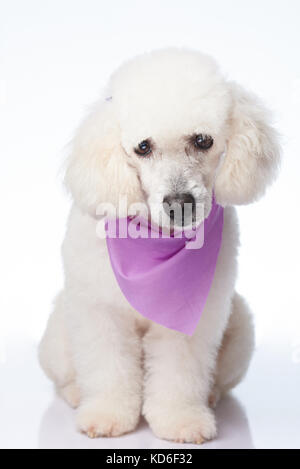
(186, 202)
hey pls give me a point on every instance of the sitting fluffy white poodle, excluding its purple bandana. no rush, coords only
(168, 123)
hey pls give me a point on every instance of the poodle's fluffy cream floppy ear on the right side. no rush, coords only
(253, 152)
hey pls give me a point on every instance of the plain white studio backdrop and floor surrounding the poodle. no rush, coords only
(54, 58)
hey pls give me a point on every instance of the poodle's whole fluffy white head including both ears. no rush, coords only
(171, 131)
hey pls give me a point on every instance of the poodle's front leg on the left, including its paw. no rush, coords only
(107, 357)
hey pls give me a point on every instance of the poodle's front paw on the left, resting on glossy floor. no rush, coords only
(97, 418)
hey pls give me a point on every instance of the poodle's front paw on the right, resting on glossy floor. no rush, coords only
(183, 425)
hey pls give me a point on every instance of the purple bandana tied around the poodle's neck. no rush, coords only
(167, 280)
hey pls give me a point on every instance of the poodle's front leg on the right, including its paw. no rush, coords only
(179, 372)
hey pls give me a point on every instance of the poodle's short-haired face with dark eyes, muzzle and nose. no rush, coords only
(176, 178)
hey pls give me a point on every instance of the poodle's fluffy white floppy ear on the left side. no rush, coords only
(97, 170)
